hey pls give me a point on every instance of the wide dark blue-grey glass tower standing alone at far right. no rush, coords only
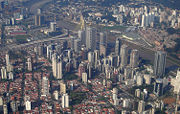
(159, 64)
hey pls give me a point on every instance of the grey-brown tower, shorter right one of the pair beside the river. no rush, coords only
(134, 57)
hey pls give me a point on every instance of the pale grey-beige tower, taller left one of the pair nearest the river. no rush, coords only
(124, 55)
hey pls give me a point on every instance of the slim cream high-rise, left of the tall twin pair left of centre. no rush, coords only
(54, 65)
